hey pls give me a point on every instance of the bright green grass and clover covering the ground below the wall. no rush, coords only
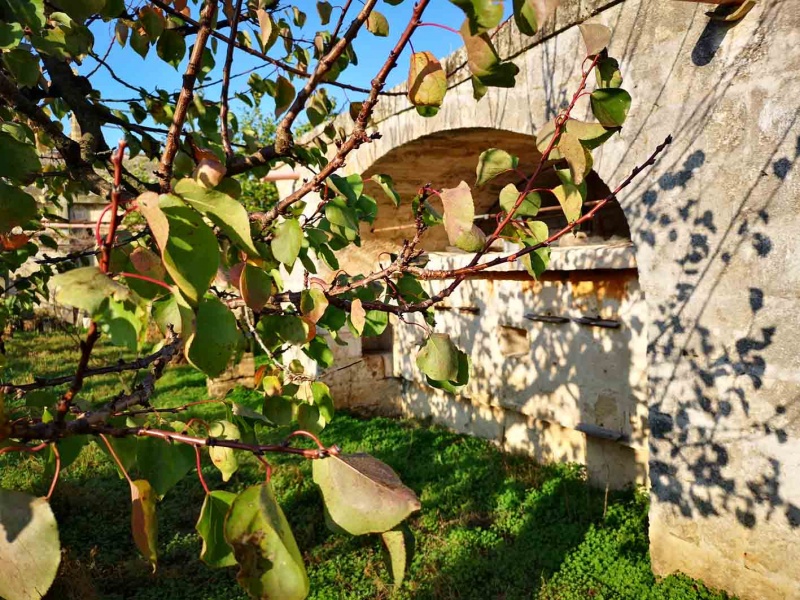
(492, 525)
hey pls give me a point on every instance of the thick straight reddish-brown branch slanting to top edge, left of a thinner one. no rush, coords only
(187, 93)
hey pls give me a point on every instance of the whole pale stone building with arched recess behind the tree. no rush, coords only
(696, 390)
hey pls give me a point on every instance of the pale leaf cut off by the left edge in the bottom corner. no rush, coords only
(30, 551)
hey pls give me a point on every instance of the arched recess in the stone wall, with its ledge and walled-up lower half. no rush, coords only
(558, 363)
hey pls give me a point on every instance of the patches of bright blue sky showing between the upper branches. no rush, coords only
(152, 72)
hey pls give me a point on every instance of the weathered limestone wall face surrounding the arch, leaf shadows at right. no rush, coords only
(715, 228)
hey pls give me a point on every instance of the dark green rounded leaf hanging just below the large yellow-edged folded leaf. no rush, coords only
(216, 338)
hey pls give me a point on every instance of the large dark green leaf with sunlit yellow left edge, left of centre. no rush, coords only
(190, 251)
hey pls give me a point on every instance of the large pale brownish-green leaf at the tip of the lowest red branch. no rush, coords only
(362, 494)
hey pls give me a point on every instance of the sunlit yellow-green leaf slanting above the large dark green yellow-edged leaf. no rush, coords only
(228, 214)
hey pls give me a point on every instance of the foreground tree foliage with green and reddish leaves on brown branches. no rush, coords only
(202, 251)
